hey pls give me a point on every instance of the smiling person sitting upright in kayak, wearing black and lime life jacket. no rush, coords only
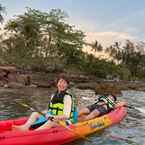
(60, 108)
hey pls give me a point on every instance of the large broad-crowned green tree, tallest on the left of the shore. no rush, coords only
(42, 38)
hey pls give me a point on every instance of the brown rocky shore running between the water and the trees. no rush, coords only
(10, 77)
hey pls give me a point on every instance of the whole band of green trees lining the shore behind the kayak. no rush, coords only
(45, 41)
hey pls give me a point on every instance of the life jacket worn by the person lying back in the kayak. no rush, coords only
(109, 102)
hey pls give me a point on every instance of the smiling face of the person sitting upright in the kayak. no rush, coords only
(62, 85)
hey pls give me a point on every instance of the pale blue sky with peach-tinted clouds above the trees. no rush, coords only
(104, 20)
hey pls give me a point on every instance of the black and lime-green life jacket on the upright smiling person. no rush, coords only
(56, 104)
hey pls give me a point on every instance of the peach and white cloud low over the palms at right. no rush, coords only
(107, 34)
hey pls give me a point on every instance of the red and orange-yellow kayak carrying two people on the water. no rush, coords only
(58, 135)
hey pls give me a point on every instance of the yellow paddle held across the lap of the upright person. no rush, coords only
(51, 118)
